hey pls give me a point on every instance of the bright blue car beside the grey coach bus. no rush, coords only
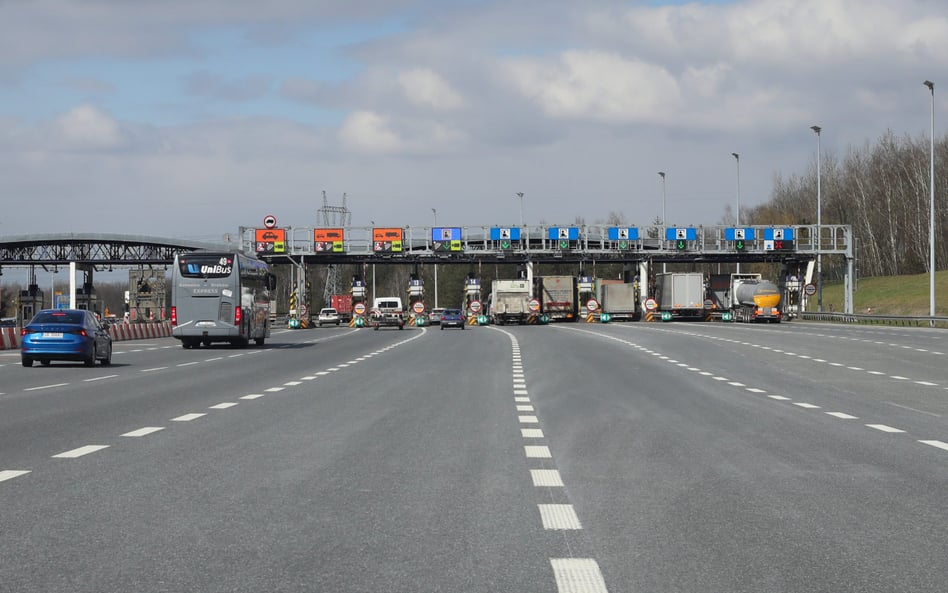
(65, 334)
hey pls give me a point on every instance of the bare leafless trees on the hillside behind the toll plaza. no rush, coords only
(882, 190)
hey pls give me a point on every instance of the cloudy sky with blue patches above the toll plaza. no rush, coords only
(193, 118)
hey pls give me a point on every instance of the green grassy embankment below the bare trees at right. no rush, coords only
(890, 295)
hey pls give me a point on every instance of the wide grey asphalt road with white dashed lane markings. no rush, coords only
(567, 458)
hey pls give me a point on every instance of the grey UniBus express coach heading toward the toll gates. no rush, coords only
(220, 297)
